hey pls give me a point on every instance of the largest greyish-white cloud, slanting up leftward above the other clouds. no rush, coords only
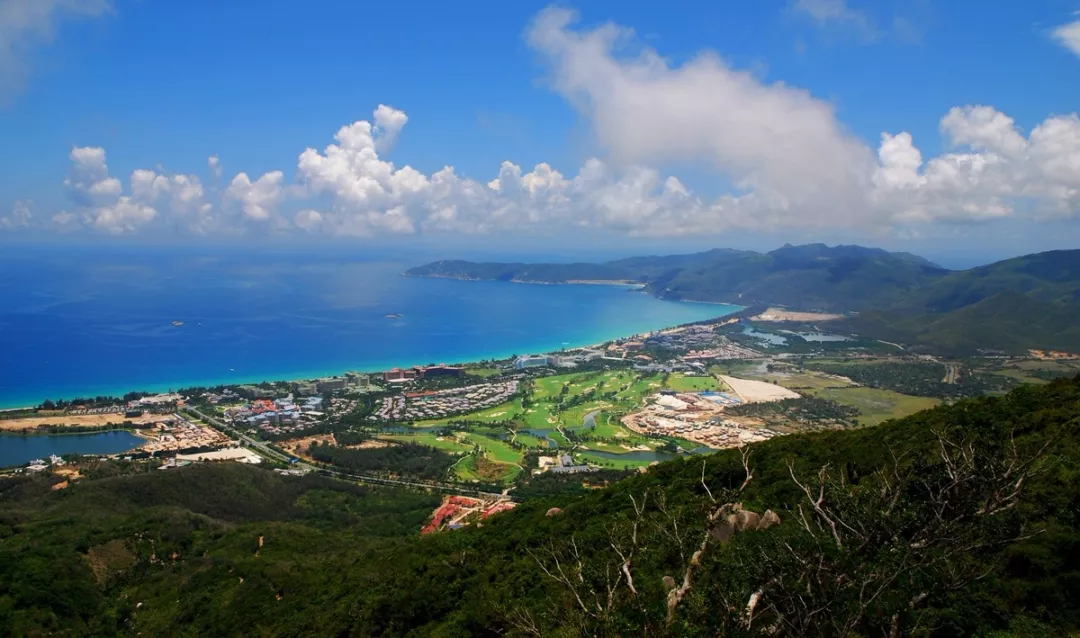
(774, 140)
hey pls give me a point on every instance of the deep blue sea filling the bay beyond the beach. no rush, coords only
(78, 321)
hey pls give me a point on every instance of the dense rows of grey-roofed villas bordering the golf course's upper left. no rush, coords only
(443, 403)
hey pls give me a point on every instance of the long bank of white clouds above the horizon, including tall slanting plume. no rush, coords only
(792, 165)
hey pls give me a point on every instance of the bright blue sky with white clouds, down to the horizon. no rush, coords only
(161, 86)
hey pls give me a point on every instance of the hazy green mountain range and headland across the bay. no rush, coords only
(1015, 305)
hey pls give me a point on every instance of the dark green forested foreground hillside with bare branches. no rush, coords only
(956, 522)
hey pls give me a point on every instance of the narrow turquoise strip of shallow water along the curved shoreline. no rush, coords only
(370, 368)
